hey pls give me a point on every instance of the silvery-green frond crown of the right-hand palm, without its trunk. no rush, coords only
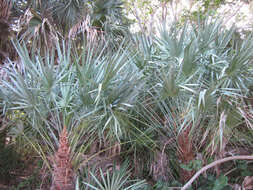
(194, 65)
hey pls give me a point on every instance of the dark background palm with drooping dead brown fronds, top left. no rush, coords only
(42, 23)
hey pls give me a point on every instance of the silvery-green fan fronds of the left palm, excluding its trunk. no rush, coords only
(90, 93)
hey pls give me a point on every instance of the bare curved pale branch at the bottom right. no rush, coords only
(212, 165)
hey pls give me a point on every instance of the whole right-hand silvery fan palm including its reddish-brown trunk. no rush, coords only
(199, 76)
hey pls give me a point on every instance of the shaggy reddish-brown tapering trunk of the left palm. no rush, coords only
(63, 175)
